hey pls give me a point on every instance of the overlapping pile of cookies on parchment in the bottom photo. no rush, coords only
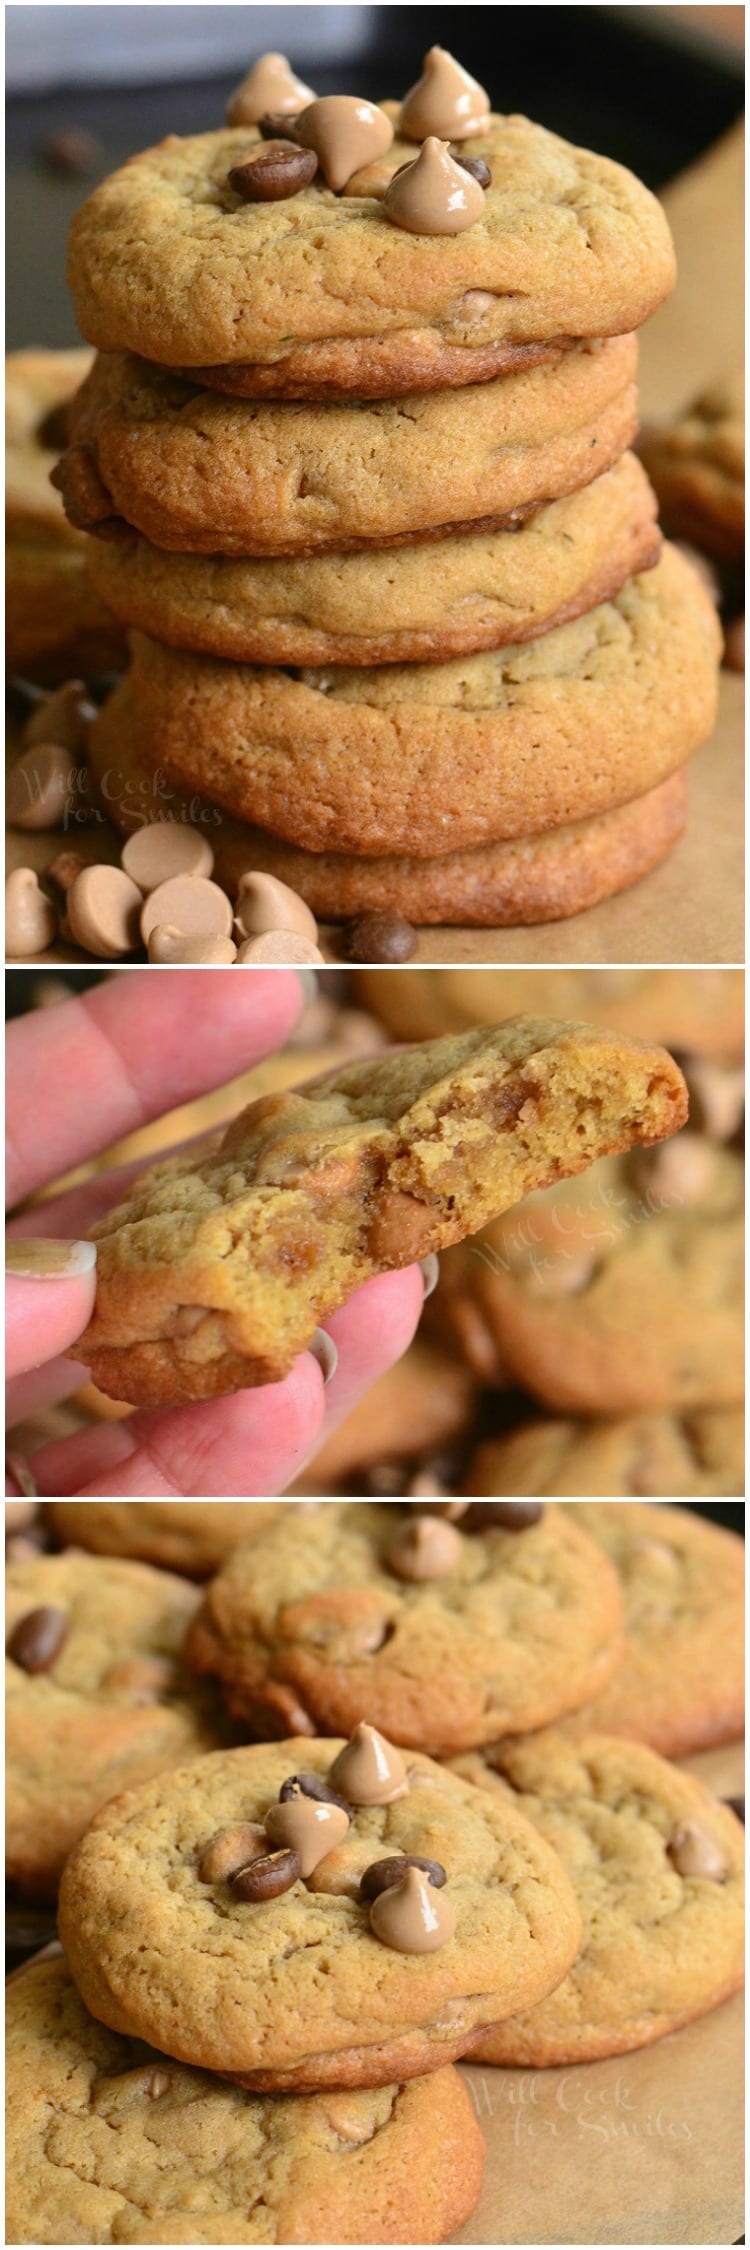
(456, 1833)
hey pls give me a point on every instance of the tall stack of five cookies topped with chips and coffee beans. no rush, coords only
(355, 467)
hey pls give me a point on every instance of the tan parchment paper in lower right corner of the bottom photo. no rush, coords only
(641, 2150)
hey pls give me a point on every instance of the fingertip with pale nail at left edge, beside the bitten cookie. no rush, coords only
(48, 1299)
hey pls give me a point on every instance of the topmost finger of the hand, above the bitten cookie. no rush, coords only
(125, 1052)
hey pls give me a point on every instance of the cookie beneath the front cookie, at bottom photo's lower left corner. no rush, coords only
(111, 2143)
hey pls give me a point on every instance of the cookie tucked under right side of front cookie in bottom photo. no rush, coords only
(659, 1873)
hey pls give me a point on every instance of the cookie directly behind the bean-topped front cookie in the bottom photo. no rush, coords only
(325, 1621)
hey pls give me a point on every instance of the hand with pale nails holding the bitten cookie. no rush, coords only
(78, 1079)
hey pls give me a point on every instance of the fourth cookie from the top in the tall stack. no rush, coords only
(431, 759)
